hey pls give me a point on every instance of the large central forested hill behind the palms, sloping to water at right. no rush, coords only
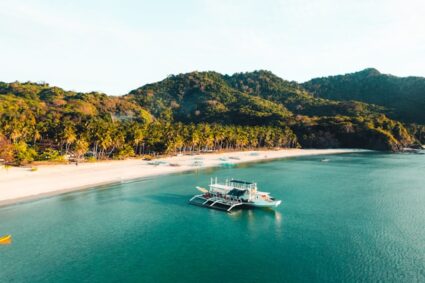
(261, 98)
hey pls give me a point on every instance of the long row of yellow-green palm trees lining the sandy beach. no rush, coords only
(102, 139)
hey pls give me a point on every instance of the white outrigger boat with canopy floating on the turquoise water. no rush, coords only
(231, 194)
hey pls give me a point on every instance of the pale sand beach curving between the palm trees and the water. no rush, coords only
(19, 184)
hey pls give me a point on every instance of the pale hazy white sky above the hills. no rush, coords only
(116, 46)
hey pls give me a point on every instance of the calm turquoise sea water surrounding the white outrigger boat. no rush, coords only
(357, 218)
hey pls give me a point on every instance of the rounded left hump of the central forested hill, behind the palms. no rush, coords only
(206, 97)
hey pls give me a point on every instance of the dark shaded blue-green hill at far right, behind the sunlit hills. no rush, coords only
(403, 98)
